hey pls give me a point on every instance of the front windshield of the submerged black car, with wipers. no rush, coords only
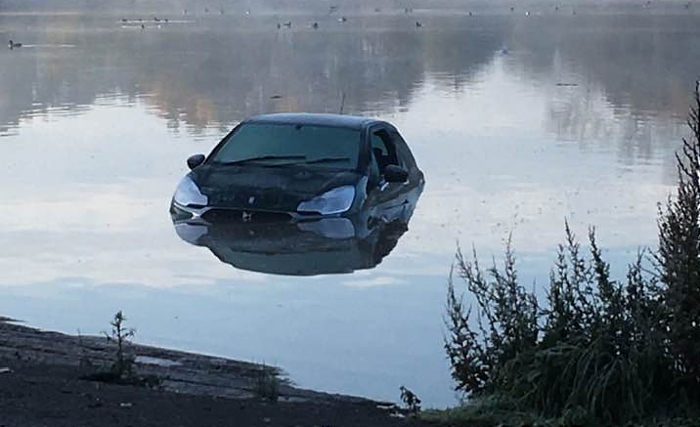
(284, 144)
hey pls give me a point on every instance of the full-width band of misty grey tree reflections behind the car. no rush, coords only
(217, 70)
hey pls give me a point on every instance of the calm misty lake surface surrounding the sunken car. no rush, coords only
(519, 123)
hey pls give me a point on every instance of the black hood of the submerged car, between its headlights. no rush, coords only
(254, 187)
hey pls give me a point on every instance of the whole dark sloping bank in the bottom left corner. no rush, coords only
(41, 385)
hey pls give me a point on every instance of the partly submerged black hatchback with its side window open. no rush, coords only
(300, 167)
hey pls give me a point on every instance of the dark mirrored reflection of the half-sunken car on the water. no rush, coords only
(301, 248)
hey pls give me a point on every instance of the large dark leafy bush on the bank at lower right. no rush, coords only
(598, 350)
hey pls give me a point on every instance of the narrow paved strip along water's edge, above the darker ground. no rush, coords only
(180, 371)
